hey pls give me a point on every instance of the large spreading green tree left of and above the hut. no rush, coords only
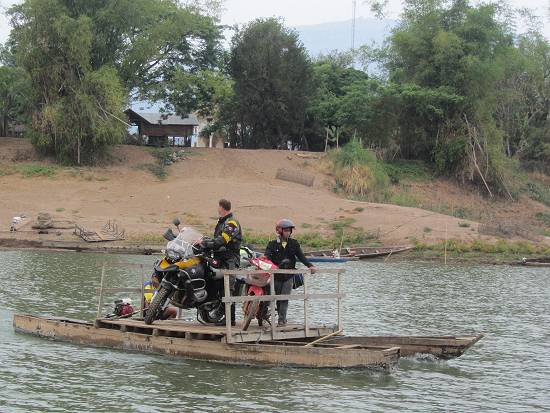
(84, 57)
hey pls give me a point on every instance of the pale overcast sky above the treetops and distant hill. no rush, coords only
(304, 12)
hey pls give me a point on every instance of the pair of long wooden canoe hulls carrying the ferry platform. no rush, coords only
(196, 341)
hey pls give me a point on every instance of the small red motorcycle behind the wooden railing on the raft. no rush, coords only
(257, 285)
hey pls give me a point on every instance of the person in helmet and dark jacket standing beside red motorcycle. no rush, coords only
(284, 251)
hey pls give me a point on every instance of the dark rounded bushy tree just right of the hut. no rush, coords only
(272, 76)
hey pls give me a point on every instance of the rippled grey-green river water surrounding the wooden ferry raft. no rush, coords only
(507, 371)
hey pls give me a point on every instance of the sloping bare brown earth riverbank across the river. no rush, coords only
(143, 204)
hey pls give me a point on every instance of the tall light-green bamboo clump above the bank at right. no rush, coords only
(448, 60)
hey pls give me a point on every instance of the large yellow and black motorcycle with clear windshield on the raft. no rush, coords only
(189, 278)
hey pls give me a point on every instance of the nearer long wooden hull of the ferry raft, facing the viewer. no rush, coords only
(85, 333)
